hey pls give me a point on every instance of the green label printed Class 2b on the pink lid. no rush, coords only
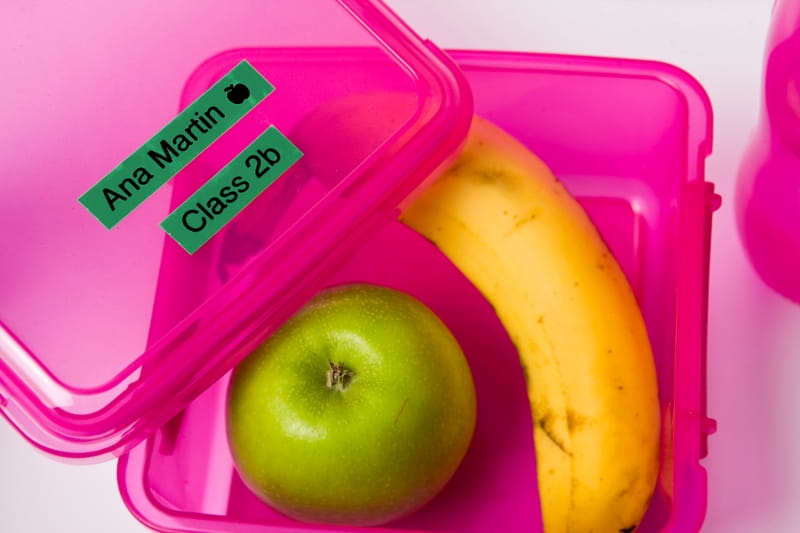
(214, 204)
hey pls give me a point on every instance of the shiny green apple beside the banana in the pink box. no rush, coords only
(357, 411)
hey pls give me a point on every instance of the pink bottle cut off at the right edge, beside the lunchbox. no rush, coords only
(768, 187)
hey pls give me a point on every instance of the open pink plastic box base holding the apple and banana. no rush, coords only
(630, 140)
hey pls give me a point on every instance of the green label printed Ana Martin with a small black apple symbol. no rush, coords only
(178, 143)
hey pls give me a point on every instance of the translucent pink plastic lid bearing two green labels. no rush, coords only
(96, 350)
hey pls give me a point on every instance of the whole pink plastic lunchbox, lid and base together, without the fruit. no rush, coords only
(119, 343)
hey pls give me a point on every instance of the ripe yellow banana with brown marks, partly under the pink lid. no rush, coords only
(514, 230)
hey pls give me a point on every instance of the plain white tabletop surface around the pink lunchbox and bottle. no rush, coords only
(754, 335)
